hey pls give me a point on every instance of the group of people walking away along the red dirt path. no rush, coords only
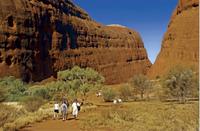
(64, 109)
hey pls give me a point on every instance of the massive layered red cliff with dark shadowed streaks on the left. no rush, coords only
(40, 37)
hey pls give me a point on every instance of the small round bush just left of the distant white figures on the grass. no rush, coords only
(108, 94)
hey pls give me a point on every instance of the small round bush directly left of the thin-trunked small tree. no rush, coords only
(125, 93)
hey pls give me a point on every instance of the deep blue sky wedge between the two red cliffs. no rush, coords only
(149, 17)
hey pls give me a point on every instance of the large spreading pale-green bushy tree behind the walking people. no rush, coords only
(81, 80)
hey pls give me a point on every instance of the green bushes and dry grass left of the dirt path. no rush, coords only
(23, 100)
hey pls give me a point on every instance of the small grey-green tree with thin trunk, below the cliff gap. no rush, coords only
(141, 85)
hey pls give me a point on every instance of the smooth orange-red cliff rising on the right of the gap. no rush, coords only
(180, 45)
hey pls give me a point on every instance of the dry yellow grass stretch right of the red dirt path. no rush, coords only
(146, 116)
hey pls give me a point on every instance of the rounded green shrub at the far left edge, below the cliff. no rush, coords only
(13, 87)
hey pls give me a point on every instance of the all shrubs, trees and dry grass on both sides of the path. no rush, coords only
(147, 104)
